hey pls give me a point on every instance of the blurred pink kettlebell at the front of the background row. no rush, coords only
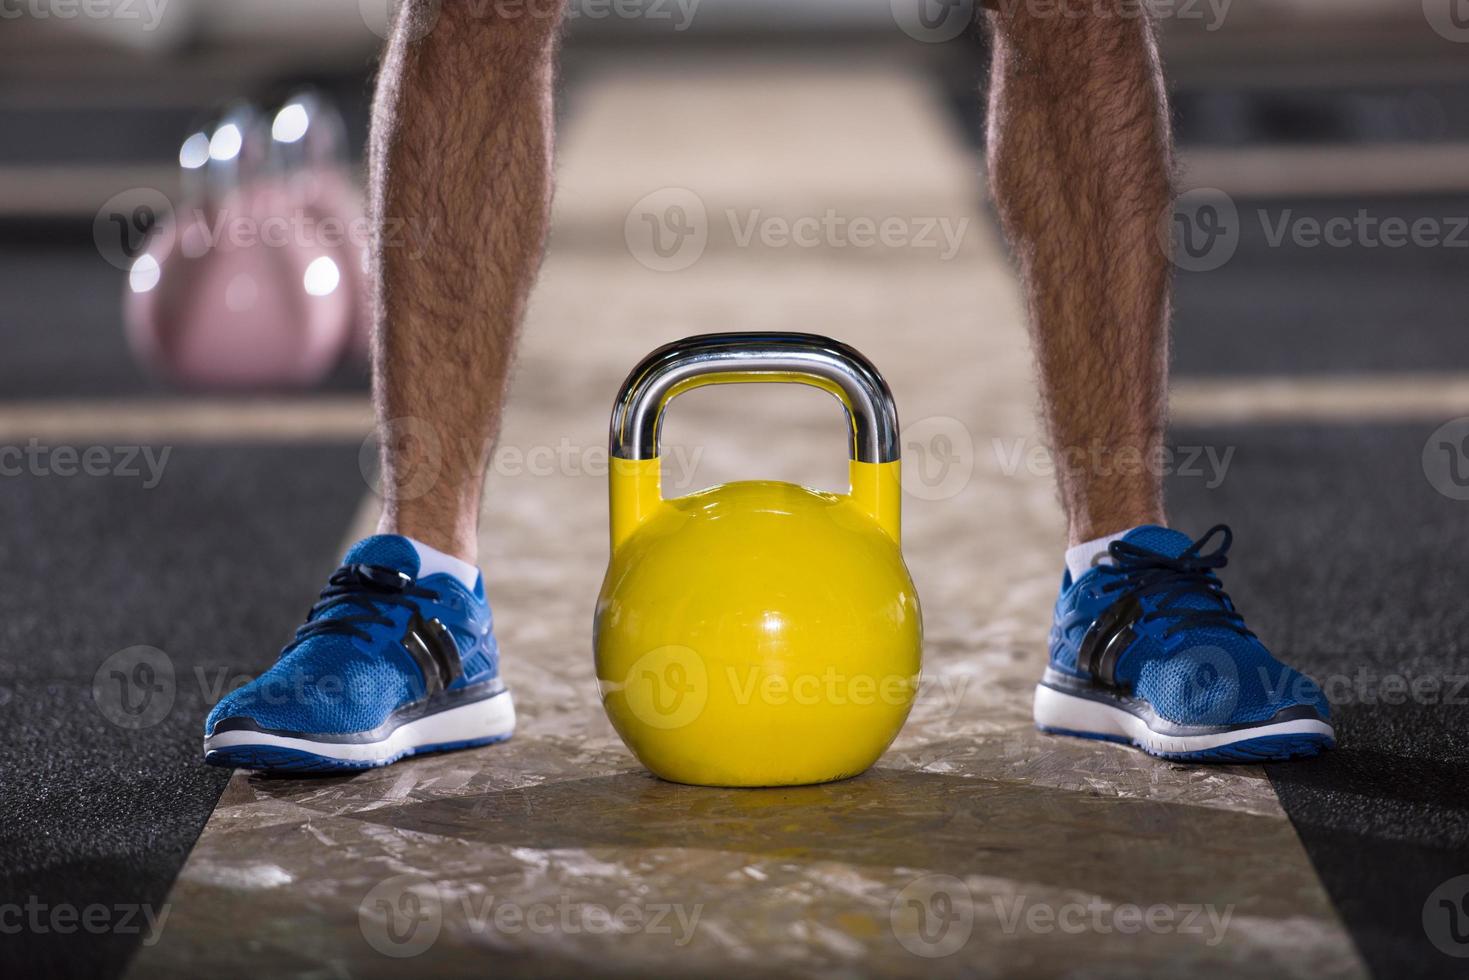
(234, 296)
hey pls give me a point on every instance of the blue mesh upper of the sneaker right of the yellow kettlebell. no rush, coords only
(1191, 655)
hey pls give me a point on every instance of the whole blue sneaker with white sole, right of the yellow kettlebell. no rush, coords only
(1151, 652)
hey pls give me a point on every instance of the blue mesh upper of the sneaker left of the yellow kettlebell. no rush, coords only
(349, 668)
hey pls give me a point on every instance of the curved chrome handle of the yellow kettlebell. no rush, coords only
(715, 359)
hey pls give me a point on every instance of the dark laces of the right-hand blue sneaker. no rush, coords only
(1189, 594)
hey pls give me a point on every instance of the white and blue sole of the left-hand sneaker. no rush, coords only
(484, 722)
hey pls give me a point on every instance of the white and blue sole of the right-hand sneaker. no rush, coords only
(1061, 713)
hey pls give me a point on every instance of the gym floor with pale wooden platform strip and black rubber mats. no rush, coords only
(1308, 384)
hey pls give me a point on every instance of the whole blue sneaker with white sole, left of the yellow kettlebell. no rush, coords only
(386, 666)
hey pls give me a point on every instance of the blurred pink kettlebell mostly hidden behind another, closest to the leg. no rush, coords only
(309, 154)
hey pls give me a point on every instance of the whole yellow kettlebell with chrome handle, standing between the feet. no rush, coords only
(757, 634)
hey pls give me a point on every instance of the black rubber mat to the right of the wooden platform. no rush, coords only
(1352, 566)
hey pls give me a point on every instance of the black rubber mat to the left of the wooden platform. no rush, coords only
(102, 788)
